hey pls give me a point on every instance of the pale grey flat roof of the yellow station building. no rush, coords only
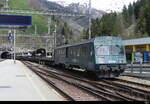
(140, 41)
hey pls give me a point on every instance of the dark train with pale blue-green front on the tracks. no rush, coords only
(104, 56)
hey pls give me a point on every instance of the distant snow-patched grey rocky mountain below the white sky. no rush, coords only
(73, 8)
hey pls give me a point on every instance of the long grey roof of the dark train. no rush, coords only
(87, 41)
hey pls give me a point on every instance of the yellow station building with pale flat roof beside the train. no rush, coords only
(138, 50)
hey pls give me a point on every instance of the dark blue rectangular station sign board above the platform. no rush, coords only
(15, 20)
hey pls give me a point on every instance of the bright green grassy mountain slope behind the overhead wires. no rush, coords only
(38, 20)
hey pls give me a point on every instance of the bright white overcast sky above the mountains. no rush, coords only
(106, 5)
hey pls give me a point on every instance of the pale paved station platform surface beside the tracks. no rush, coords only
(18, 83)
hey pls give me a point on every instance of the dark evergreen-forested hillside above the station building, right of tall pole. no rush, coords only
(133, 22)
